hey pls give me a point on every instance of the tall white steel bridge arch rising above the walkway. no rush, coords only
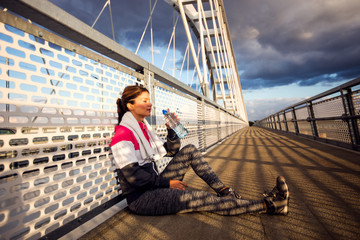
(216, 65)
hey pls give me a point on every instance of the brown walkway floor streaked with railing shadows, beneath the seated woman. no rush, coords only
(324, 184)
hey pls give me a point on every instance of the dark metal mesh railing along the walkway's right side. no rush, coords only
(332, 116)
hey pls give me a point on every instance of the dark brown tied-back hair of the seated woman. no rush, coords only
(128, 96)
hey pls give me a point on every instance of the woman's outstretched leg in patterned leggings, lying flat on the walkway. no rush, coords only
(163, 201)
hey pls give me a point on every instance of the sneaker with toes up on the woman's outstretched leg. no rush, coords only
(277, 200)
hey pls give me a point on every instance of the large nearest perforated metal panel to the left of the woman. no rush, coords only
(57, 119)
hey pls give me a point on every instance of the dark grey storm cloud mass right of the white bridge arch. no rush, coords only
(304, 42)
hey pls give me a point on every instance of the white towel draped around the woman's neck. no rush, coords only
(154, 152)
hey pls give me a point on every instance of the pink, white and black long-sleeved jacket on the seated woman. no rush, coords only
(137, 175)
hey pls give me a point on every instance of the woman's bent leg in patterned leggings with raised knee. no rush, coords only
(191, 156)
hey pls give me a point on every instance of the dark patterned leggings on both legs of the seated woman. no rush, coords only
(162, 201)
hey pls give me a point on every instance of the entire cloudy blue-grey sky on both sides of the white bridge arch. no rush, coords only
(286, 50)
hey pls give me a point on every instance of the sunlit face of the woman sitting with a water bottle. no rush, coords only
(141, 107)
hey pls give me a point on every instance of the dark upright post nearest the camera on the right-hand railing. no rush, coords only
(346, 95)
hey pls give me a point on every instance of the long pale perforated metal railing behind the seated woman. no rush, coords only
(57, 117)
